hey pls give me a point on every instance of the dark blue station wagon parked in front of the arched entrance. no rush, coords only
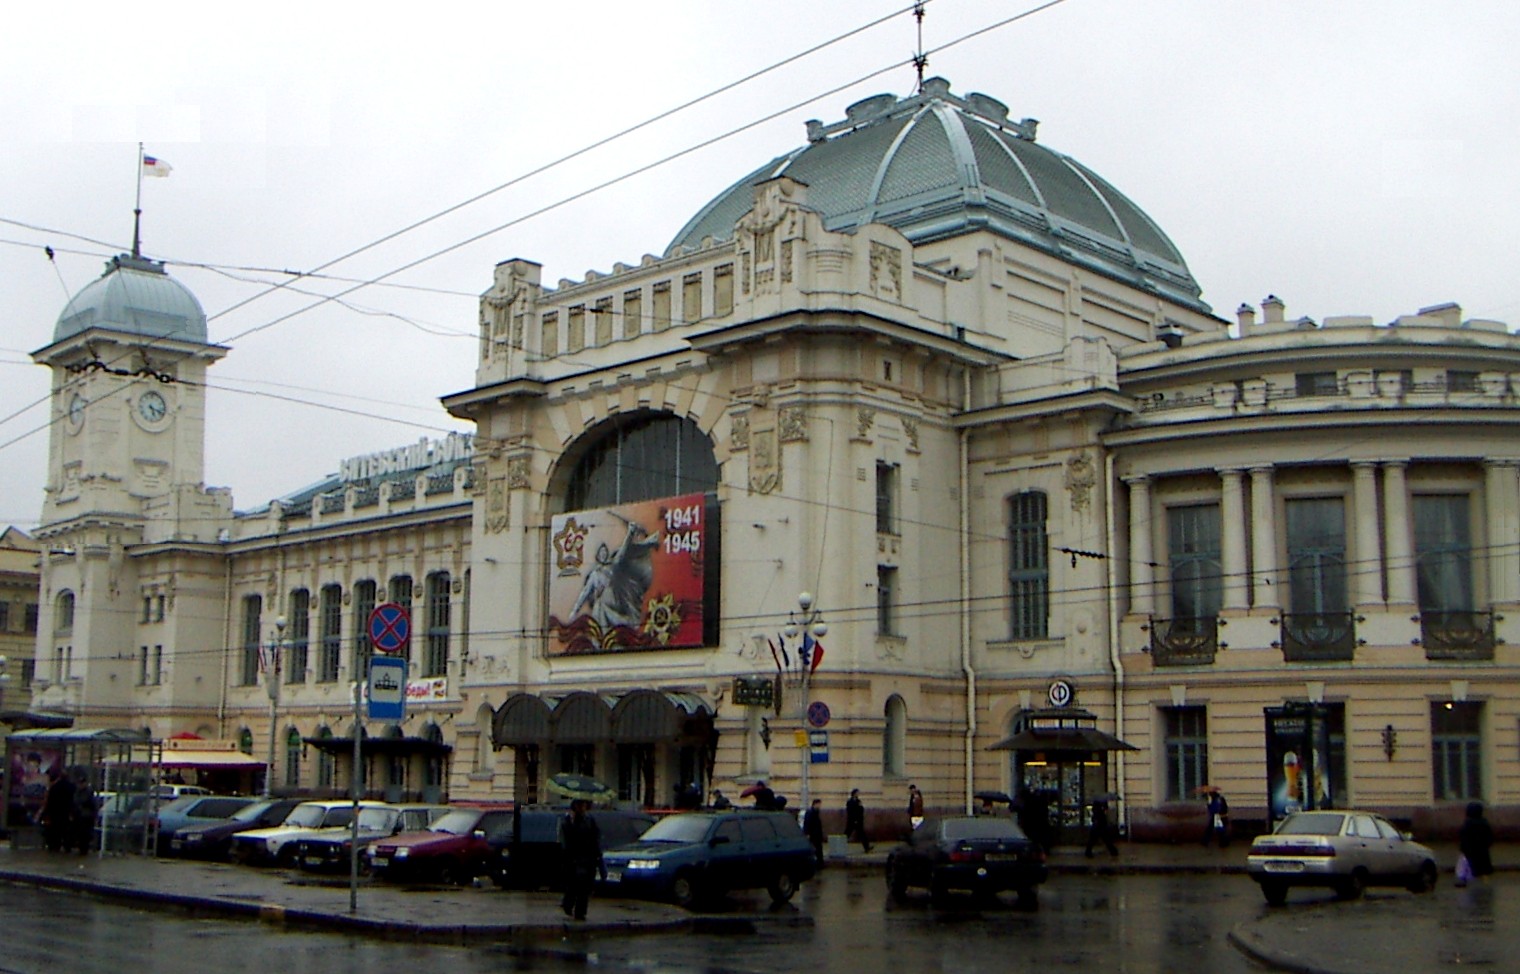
(695, 855)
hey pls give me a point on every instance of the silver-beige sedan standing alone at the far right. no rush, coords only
(1341, 850)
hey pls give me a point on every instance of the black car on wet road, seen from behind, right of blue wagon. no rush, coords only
(984, 855)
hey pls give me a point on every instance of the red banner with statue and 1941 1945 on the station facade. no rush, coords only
(629, 577)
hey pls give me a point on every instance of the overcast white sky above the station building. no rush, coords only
(1354, 157)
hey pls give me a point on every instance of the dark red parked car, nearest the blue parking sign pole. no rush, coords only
(454, 850)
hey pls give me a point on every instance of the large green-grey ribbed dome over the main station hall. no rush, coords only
(937, 166)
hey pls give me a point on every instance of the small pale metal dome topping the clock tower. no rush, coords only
(138, 297)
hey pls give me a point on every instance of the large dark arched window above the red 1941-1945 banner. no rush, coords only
(642, 457)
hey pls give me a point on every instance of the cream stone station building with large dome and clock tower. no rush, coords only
(916, 458)
